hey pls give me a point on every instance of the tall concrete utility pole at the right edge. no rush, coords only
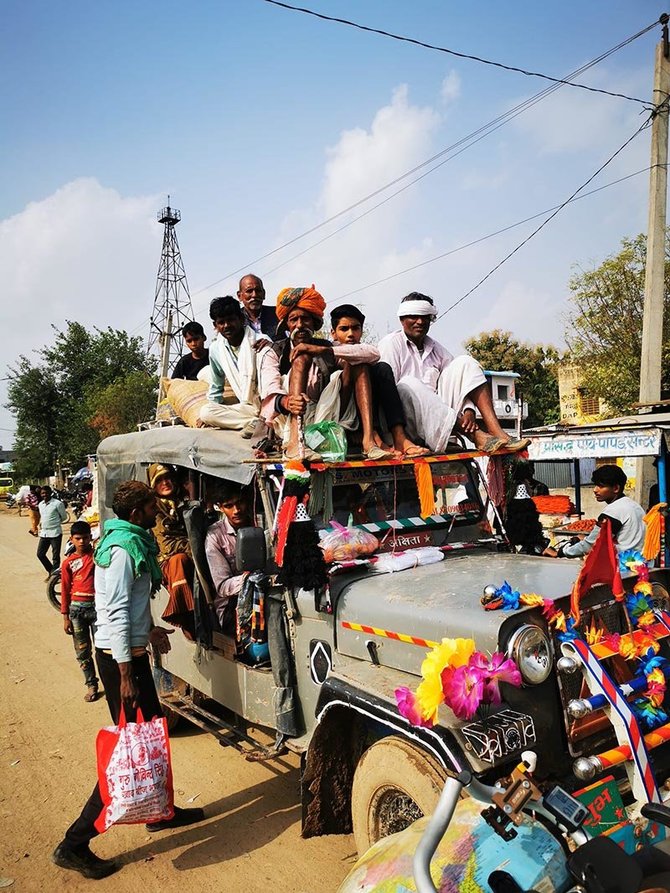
(654, 281)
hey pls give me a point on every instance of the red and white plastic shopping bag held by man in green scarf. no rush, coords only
(134, 772)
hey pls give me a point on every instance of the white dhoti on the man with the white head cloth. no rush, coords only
(431, 415)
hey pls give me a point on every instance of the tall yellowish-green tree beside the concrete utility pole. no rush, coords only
(604, 328)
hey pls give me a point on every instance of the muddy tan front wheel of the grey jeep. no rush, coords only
(395, 783)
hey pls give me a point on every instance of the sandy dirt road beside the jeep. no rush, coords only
(250, 841)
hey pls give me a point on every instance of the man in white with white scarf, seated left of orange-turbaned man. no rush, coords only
(232, 359)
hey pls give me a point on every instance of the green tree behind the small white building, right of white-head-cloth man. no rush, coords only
(536, 364)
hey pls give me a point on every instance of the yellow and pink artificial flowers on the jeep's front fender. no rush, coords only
(467, 681)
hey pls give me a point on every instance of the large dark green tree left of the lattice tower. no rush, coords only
(56, 399)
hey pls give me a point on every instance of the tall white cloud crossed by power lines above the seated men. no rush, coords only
(399, 137)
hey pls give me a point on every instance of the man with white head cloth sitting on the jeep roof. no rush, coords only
(440, 392)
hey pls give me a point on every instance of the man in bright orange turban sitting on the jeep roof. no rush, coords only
(304, 376)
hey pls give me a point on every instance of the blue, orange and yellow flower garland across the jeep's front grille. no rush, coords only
(640, 609)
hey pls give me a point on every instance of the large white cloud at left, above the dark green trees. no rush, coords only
(84, 253)
